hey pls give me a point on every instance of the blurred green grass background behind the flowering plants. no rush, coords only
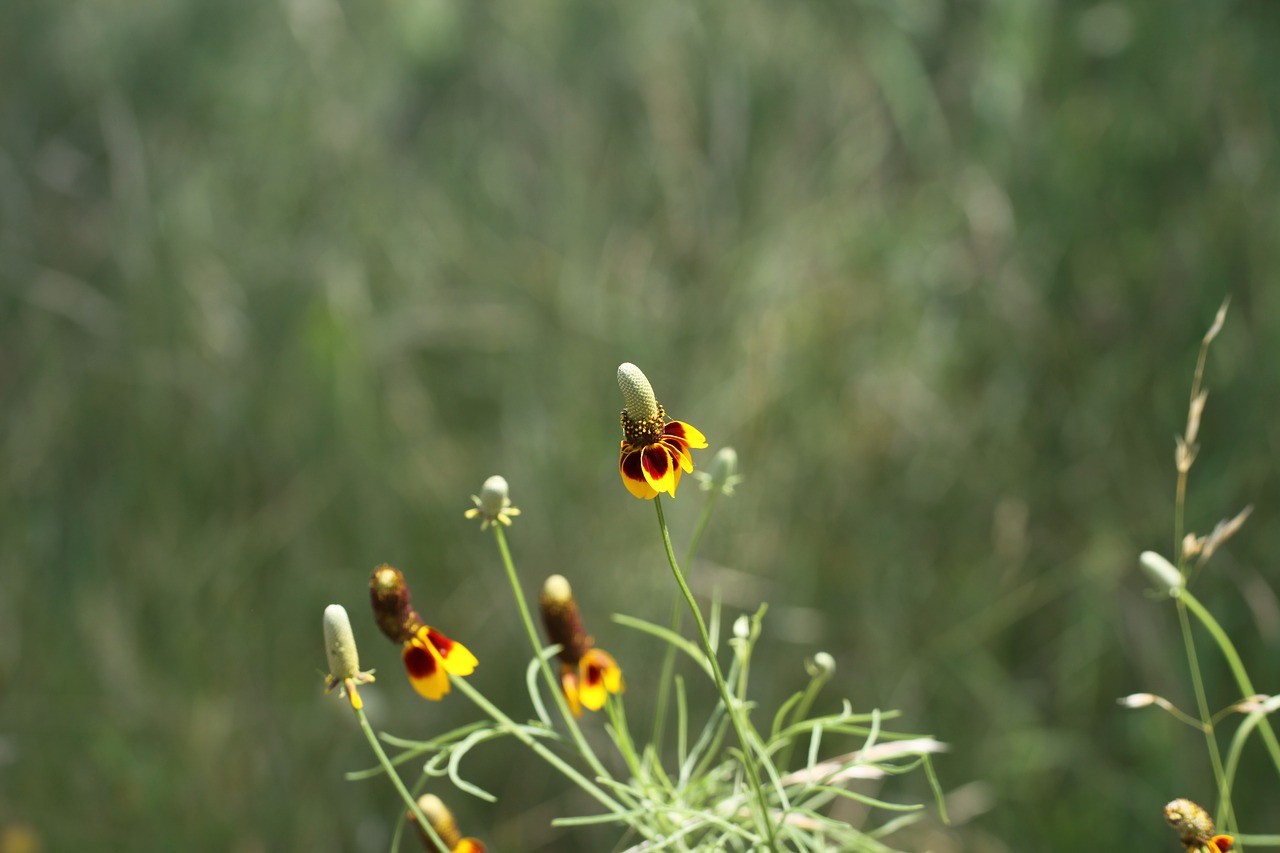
(284, 282)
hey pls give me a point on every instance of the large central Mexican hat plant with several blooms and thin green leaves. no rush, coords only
(726, 778)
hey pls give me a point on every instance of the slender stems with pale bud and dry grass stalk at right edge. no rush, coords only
(1173, 580)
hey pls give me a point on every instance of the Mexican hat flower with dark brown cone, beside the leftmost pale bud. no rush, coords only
(429, 656)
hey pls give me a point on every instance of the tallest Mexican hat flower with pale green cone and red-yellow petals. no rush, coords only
(655, 450)
